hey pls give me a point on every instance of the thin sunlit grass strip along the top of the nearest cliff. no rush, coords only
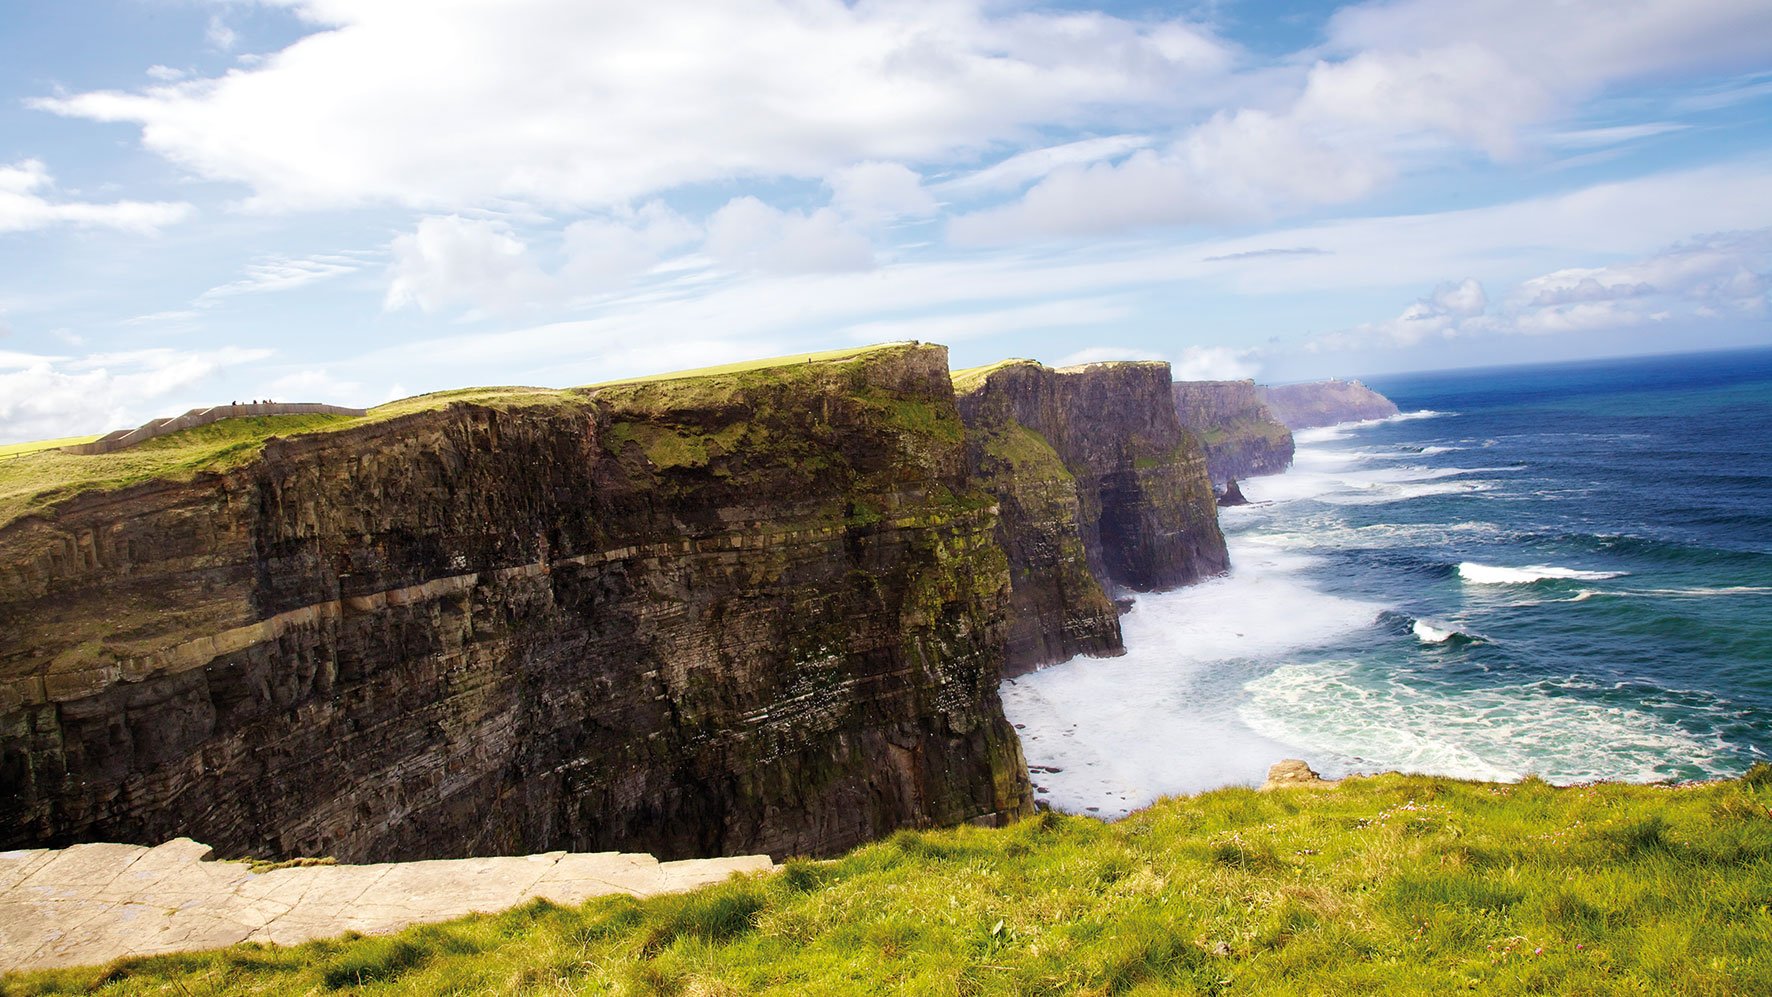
(36, 475)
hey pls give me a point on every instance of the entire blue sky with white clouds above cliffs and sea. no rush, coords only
(357, 201)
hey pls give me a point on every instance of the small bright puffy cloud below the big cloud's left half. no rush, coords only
(462, 261)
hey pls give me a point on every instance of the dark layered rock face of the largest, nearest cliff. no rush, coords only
(747, 614)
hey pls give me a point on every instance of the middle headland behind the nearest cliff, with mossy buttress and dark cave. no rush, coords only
(1100, 490)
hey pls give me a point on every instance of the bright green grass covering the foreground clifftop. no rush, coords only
(1395, 885)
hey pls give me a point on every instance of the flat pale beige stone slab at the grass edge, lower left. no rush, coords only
(91, 904)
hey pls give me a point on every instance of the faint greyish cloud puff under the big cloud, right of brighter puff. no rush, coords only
(750, 235)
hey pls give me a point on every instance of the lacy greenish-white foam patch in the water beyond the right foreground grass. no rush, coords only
(1358, 720)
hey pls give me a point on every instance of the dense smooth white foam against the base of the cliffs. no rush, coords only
(1163, 718)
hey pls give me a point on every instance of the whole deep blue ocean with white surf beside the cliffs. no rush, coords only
(1555, 571)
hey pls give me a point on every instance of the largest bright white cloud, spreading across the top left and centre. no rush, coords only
(589, 105)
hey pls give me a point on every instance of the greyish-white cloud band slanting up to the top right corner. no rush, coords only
(1397, 82)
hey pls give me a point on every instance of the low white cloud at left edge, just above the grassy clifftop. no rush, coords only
(47, 398)
